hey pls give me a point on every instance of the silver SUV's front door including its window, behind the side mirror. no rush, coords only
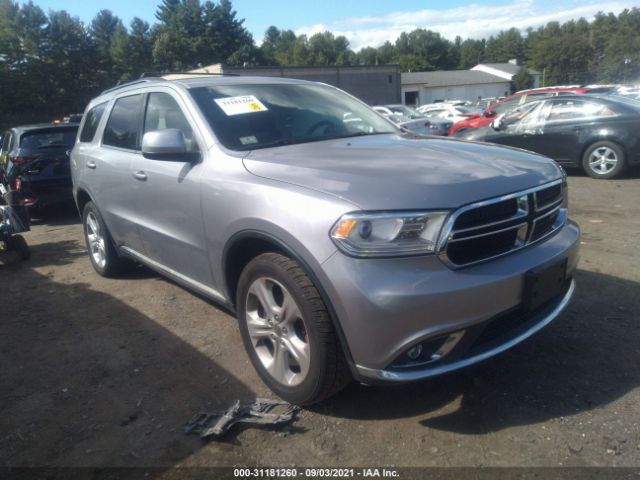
(168, 200)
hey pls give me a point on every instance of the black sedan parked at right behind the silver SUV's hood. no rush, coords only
(597, 133)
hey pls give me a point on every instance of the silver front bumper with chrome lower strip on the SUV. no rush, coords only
(386, 306)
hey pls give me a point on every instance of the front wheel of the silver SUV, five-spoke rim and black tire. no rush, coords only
(287, 331)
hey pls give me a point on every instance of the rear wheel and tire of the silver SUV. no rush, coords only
(103, 255)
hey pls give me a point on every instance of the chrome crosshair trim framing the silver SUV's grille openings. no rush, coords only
(528, 210)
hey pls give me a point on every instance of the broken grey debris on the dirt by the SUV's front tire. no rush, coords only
(215, 424)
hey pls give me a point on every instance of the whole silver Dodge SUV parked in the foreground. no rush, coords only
(348, 248)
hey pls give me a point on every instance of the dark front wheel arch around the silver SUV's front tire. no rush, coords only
(244, 246)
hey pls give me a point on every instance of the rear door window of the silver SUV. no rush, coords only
(123, 126)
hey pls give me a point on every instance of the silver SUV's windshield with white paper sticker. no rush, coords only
(249, 117)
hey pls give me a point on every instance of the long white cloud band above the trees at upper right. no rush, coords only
(471, 21)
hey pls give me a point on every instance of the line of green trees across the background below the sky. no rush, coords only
(52, 64)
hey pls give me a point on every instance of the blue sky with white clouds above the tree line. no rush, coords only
(372, 22)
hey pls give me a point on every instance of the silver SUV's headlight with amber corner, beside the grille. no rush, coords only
(388, 234)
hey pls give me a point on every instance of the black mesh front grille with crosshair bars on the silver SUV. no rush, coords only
(495, 227)
